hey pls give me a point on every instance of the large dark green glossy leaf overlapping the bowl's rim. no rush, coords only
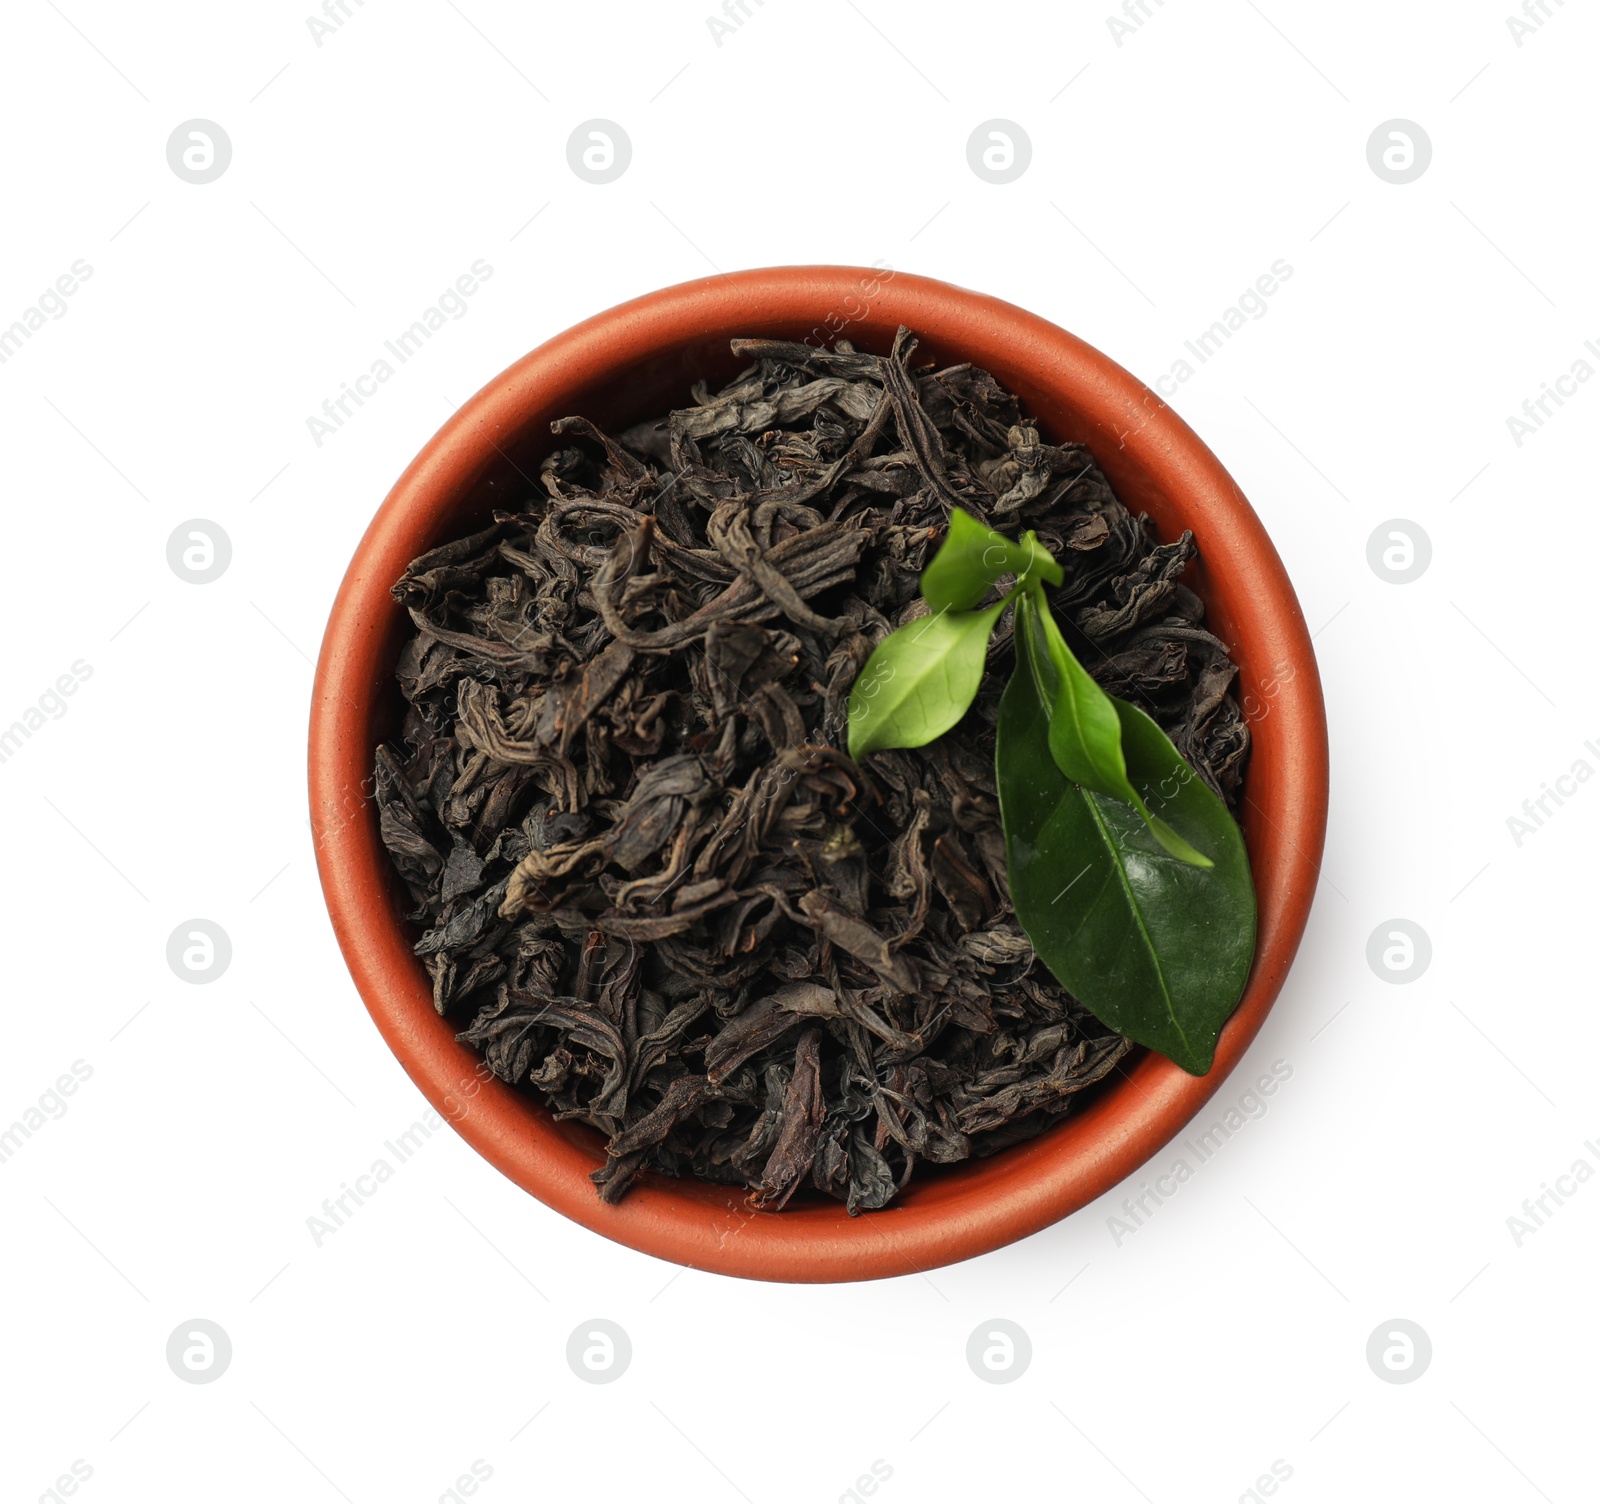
(1151, 945)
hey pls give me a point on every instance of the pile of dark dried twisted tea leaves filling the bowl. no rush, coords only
(649, 881)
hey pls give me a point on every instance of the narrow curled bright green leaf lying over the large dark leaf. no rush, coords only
(1089, 729)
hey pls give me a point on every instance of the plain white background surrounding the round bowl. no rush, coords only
(1169, 172)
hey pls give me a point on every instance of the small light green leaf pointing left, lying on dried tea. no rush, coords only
(921, 681)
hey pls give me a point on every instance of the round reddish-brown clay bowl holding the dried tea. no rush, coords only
(641, 359)
